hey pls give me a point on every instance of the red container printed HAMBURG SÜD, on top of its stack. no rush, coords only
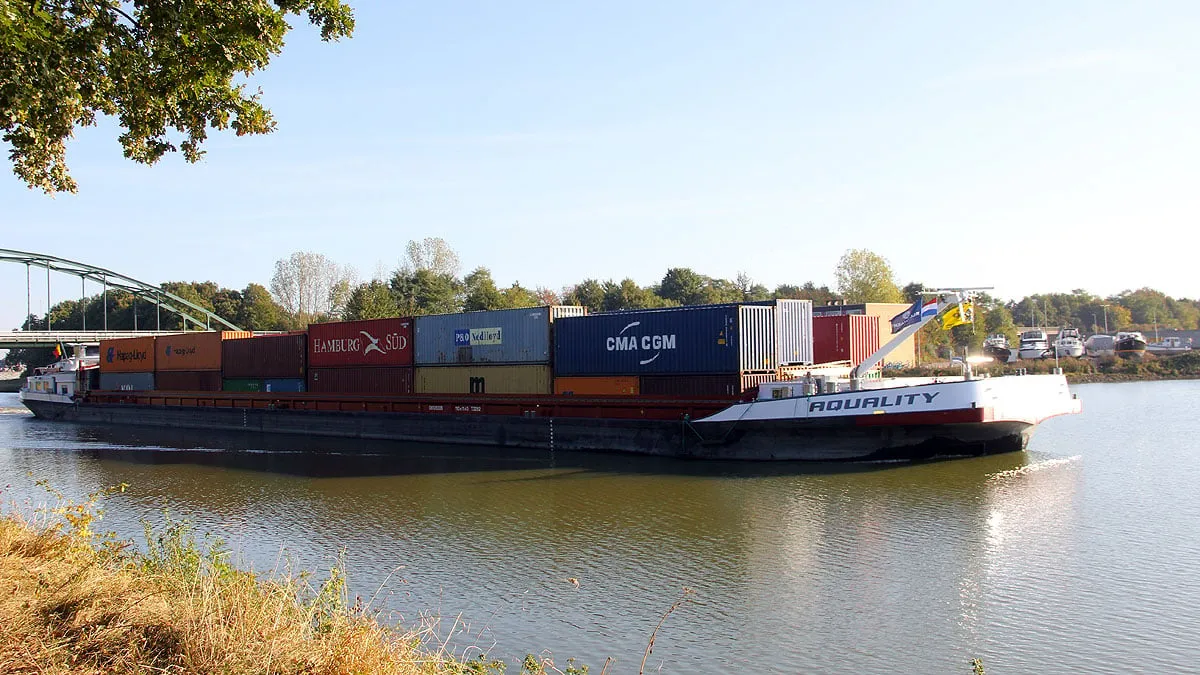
(379, 342)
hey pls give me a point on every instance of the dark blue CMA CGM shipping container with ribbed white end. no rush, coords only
(704, 339)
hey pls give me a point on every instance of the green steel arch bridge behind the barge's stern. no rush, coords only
(109, 279)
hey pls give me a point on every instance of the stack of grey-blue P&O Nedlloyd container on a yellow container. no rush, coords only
(488, 353)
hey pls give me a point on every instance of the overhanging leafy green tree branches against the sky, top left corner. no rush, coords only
(163, 70)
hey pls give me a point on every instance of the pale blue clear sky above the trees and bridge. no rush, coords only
(1034, 147)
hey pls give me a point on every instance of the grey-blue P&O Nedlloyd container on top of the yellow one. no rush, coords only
(497, 337)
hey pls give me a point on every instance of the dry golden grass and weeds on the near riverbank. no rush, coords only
(80, 602)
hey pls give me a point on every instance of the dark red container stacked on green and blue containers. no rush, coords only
(268, 363)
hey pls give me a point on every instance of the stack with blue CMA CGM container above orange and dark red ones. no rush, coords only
(707, 351)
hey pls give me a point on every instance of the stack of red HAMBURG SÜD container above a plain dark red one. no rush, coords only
(362, 357)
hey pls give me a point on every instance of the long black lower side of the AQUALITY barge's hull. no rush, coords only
(825, 440)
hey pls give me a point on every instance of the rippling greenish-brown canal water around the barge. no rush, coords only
(1081, 555)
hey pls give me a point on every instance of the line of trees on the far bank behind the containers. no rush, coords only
(308, 288)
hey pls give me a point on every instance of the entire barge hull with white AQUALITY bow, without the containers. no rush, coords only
(761, 431)
